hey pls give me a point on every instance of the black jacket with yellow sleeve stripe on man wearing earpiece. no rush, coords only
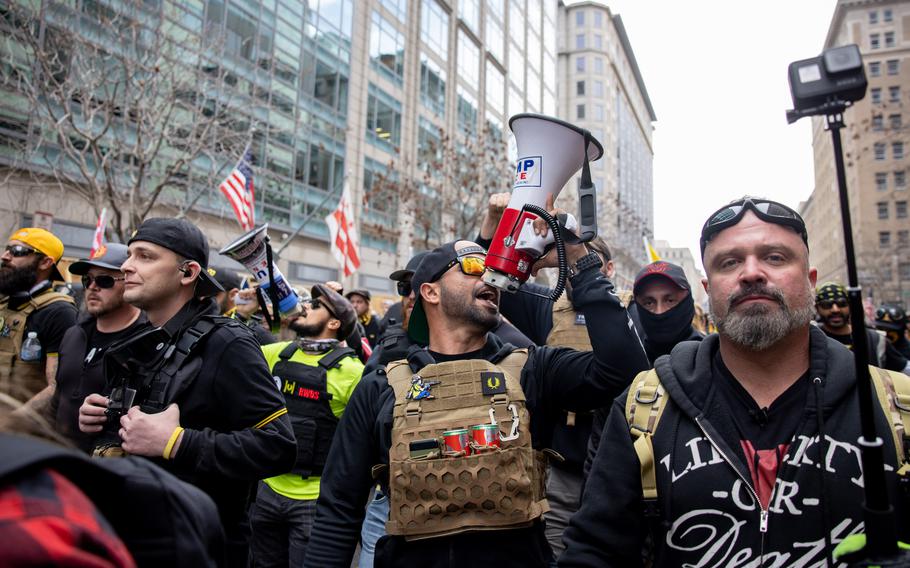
(224, 449)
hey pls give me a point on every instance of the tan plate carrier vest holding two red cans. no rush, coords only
(438, 496)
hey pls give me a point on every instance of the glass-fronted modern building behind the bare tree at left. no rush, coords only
(334, 92)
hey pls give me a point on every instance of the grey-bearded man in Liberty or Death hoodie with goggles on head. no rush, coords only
(731, 474)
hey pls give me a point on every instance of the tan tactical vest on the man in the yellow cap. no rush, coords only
(22, 379)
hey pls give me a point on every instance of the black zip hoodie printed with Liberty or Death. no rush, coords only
(708, 513)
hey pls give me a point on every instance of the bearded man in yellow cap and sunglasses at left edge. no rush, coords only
(28, 267)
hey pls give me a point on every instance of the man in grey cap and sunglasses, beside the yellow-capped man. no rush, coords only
(108, 319)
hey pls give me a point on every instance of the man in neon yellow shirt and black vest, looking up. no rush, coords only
(317, 374)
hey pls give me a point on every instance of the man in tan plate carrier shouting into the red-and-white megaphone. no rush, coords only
(465, 376)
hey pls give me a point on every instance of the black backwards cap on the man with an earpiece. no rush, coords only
(185, 239)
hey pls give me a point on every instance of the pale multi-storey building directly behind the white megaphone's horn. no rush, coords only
(601, 88)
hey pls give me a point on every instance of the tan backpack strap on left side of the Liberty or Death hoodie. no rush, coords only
(645, 402)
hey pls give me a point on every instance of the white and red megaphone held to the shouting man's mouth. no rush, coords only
(550, 151)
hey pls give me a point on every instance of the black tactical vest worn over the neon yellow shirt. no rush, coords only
(305, 390)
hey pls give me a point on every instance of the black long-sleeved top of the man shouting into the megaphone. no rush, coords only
(553, 378)
